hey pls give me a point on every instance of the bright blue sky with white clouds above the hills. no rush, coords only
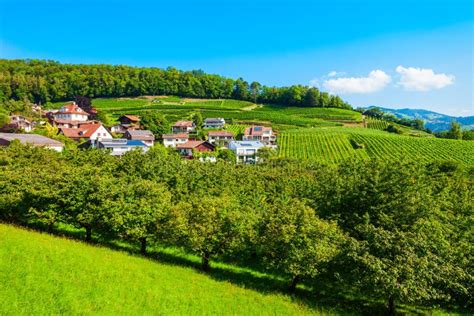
(416, 54)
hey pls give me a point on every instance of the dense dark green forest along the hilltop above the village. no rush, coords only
(42, 81)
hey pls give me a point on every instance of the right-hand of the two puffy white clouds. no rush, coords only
(419, 79)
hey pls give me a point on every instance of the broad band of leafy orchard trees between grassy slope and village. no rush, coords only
(397, 232)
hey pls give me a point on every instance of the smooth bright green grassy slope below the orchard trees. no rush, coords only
(41, 274)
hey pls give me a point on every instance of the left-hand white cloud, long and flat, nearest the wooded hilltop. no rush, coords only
(375, 81)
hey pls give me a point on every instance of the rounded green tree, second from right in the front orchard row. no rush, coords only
(297, 242)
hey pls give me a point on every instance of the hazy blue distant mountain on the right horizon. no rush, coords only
(433, 120)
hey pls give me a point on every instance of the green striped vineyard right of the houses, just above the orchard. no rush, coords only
(336, 144)
